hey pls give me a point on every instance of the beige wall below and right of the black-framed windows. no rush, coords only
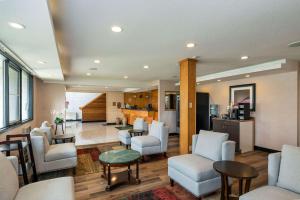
(47, 97)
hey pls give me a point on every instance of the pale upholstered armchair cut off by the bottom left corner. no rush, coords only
(58, 189)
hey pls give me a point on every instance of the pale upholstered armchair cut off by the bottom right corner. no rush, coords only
(283, 177)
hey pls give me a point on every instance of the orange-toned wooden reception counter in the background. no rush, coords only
(132, 114)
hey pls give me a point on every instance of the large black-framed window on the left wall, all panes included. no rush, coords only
(16, 89)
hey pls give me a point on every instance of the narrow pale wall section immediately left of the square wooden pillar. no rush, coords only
(167, 116)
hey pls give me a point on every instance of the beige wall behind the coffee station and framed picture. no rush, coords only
(276, 113)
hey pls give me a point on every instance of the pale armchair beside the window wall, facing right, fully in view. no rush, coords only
(51, 157)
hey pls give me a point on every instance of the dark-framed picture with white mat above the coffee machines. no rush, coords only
(243, 94)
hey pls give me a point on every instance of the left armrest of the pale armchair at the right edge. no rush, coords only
(273, 168)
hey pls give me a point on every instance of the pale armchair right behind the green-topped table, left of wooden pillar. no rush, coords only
(153, 143)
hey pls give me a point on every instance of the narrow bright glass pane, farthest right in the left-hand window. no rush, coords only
(25, 96)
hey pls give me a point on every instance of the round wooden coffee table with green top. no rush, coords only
(119, 158)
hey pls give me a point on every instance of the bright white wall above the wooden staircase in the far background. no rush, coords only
(78, 99)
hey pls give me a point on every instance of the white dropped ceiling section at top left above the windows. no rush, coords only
(34, 43)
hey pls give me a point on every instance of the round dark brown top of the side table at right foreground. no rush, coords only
(235, 169)
